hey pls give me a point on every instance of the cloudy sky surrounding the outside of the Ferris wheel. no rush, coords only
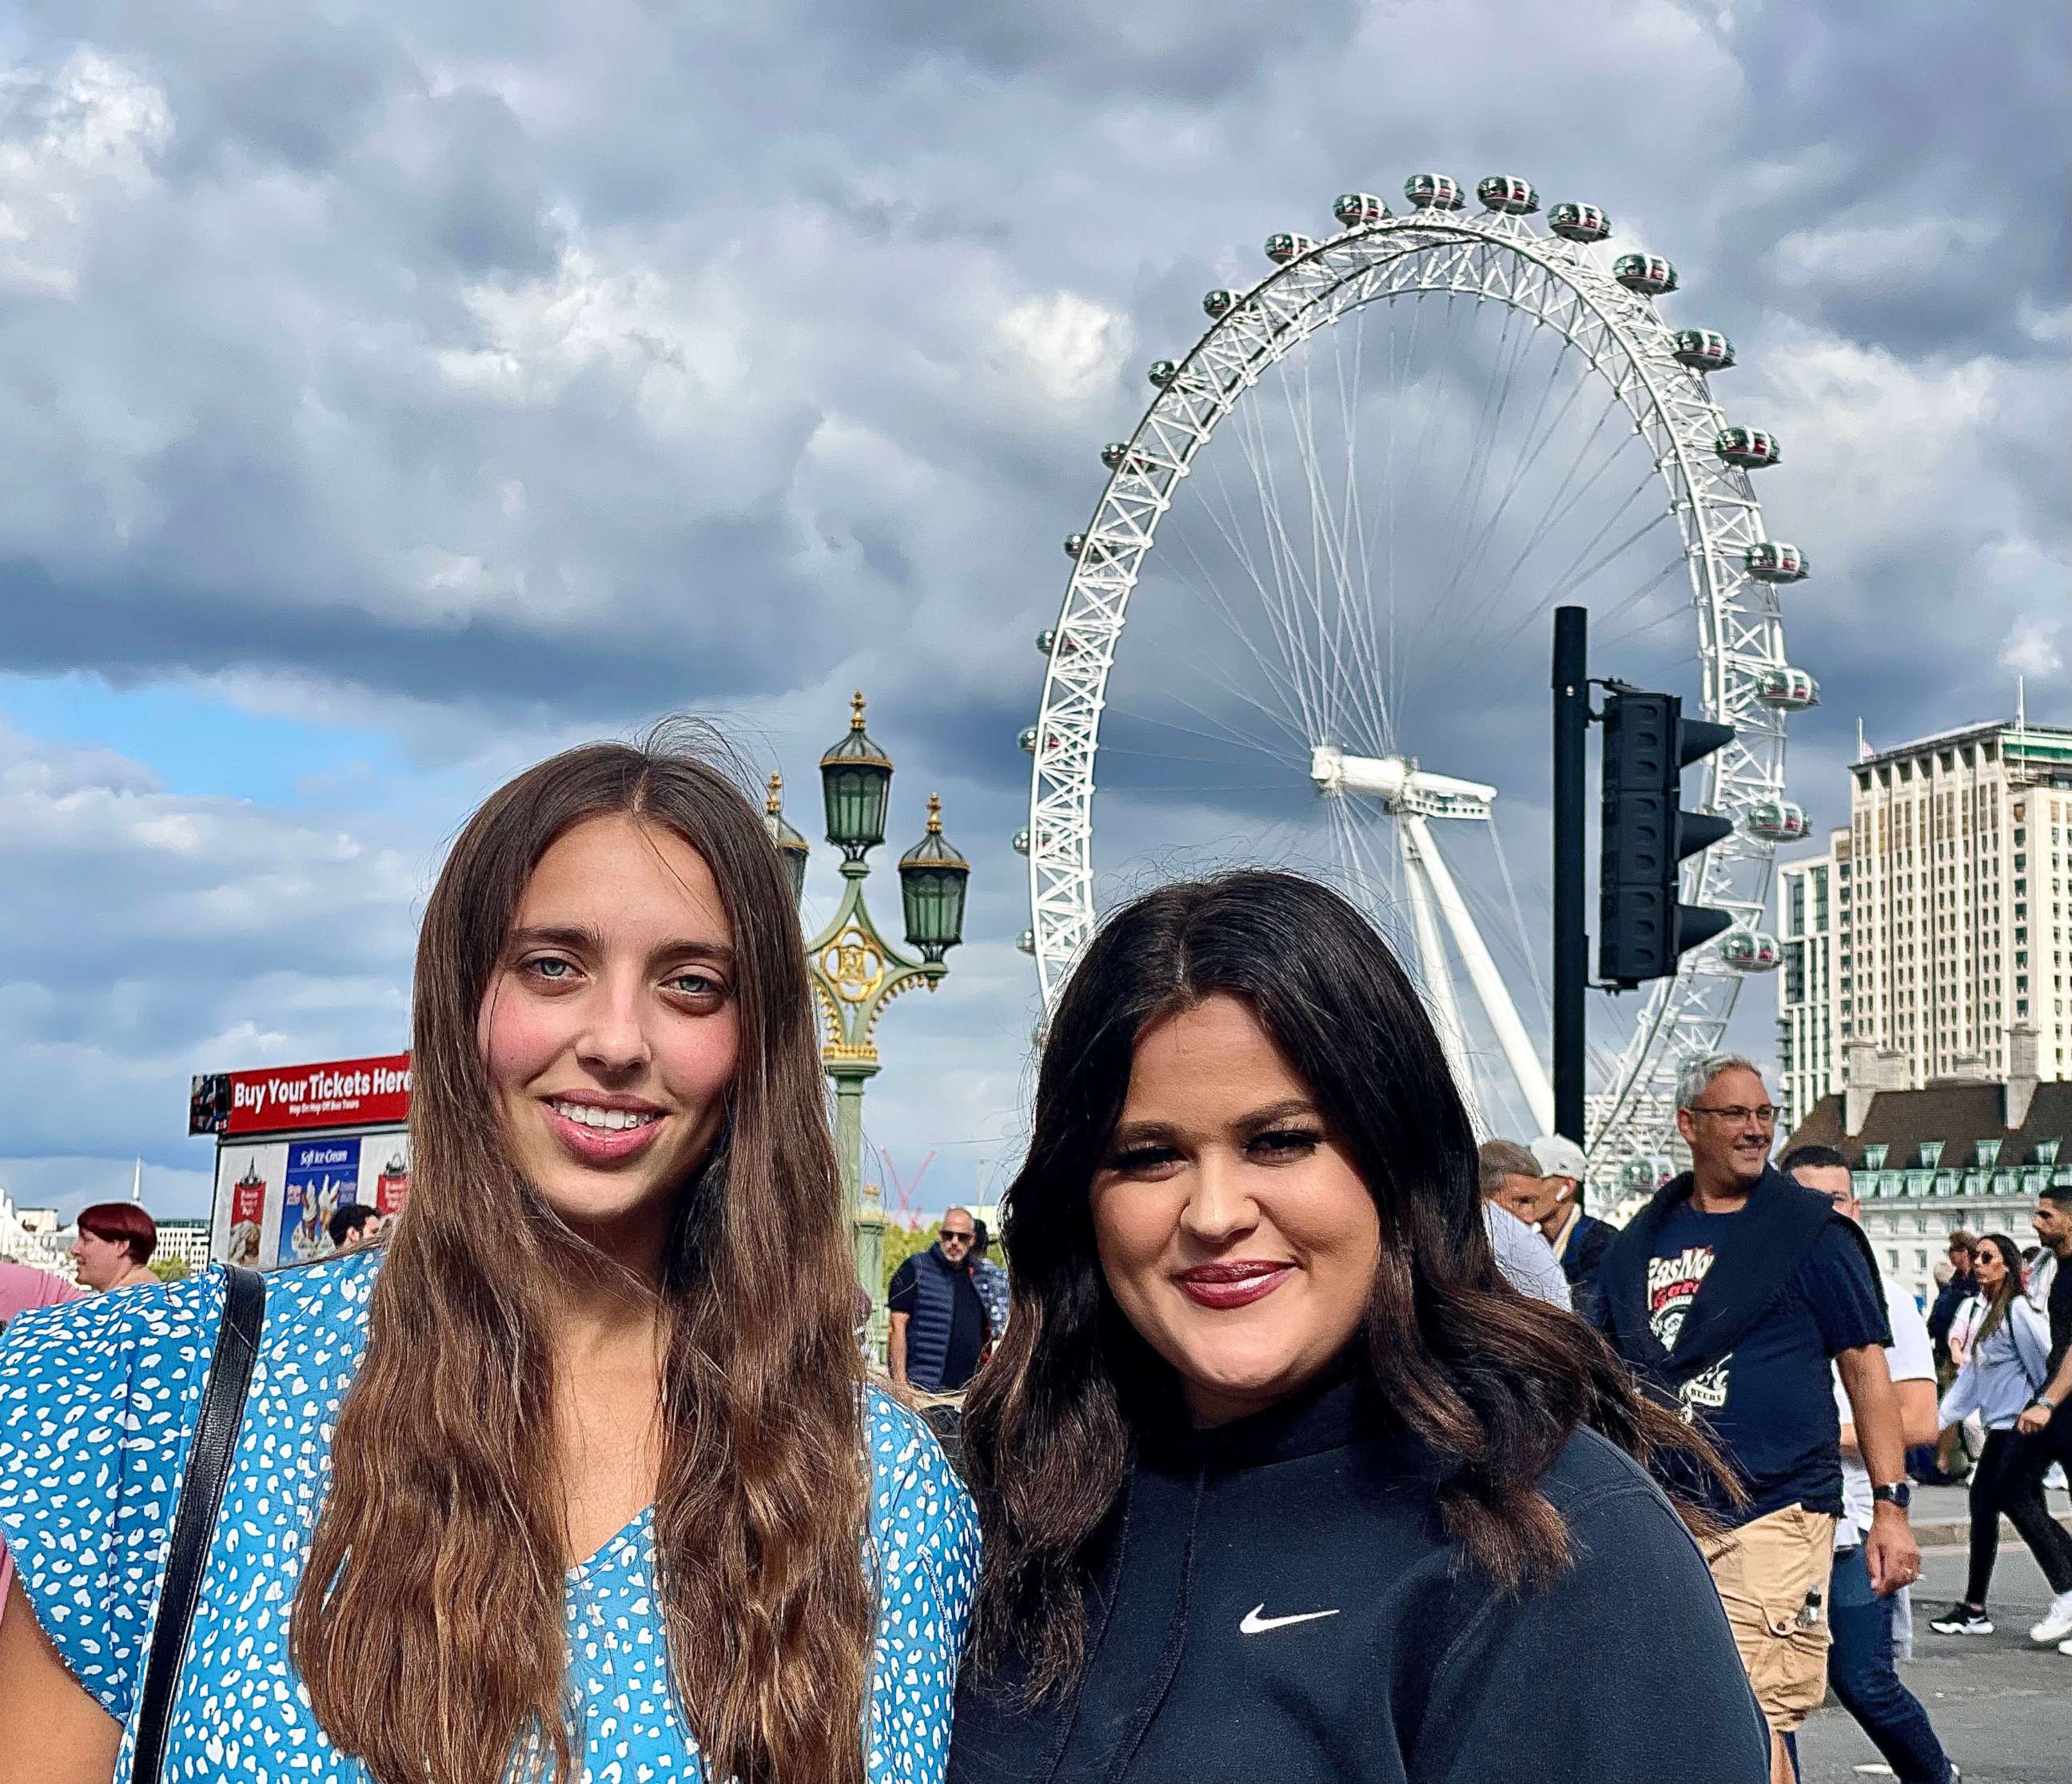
(401, 393)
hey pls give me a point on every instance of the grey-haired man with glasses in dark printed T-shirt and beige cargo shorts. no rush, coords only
(1731, 1294)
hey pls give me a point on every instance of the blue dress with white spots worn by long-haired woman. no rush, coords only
(98, 1404)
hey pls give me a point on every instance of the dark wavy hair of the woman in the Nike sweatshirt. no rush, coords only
(1493, 1381)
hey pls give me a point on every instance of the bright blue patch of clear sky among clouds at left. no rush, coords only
(198, 743)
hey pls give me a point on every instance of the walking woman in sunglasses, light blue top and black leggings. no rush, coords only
(2005, 1371)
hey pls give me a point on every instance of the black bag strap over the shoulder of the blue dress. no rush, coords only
(194, 1522)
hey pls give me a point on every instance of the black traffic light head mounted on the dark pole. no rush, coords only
(1642, 927)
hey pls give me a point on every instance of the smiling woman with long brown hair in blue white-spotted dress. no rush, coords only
(577, 1476)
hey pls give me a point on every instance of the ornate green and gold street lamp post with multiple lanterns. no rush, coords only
(855, 971)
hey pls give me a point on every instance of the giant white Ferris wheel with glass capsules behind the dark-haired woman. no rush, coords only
(1306, 623)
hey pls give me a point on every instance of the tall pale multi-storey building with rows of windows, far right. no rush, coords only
(1949, 917)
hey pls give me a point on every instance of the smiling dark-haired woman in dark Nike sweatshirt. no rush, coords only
(1279, 1478)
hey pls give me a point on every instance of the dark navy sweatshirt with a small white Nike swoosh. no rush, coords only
(1277, 1603)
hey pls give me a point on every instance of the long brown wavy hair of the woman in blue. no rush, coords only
(430, 1623)
